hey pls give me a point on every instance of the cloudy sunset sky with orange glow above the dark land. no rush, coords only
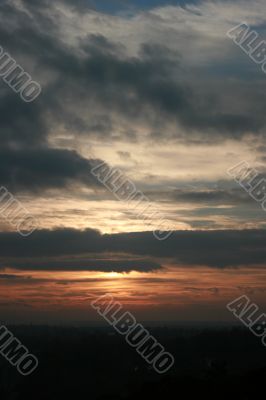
(157, 90)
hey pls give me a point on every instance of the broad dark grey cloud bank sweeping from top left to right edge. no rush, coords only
(150, 86)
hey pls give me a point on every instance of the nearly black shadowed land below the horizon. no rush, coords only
(97, 364)
